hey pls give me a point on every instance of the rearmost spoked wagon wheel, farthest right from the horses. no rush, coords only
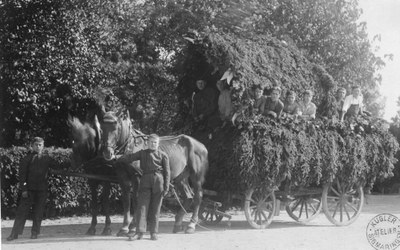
(342, 203)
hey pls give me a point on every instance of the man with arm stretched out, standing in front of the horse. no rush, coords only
(154, 185)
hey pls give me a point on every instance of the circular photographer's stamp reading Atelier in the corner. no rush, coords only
(383, 231)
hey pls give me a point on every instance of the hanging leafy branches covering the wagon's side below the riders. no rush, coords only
(265, 152)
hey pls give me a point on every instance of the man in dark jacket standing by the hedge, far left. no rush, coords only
(33, 182)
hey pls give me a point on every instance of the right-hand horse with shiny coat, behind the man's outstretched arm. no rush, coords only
(188, 159)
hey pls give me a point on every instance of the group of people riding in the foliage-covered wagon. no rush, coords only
(210, 108)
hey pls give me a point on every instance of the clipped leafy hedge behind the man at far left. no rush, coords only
(67, 195)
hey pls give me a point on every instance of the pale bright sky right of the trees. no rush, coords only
(383, 17)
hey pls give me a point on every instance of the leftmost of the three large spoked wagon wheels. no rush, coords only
(259, 207)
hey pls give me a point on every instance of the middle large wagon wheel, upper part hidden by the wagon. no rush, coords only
(304, 208)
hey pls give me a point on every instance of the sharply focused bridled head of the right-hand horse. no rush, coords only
(117, 134)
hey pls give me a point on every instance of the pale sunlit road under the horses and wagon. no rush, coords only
(283, 233)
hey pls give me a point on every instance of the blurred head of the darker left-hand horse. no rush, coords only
(86, 140)
